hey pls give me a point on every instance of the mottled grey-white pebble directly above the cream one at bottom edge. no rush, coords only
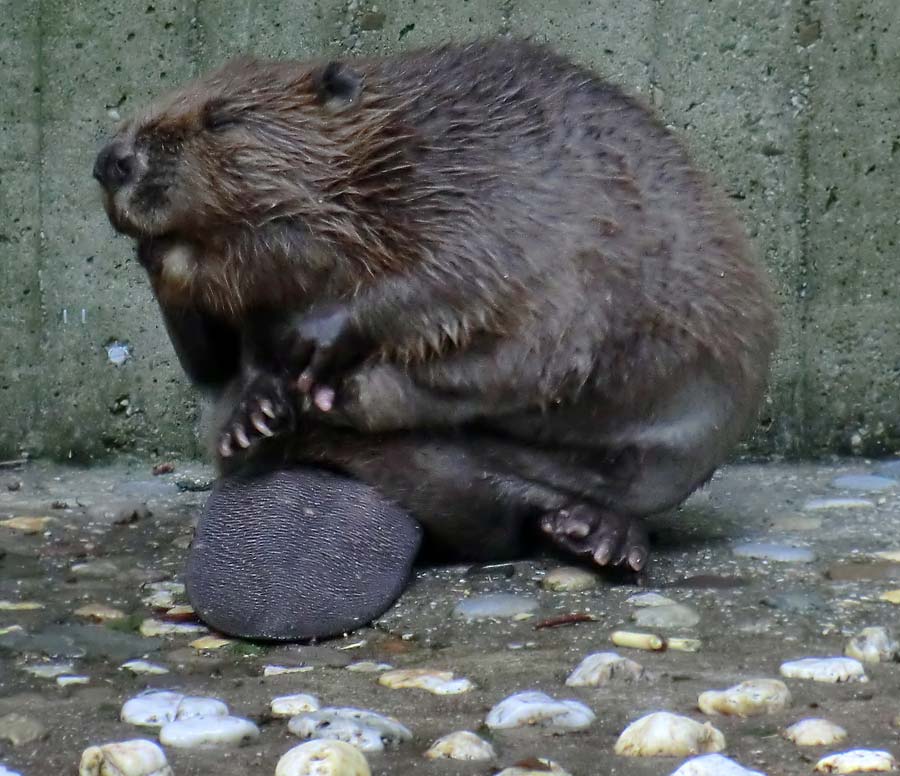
(365, 730)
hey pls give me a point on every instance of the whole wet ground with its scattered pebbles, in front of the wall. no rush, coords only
(767, 565)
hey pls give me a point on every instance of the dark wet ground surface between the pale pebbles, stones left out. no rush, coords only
(111, 533)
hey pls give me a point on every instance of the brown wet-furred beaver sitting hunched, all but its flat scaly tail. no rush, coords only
(478, 278)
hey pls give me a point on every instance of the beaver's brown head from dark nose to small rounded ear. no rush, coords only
(248, 144)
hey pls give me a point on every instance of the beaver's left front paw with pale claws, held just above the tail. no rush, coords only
(265, 409)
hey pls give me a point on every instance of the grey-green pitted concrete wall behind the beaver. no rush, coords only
(793, 104)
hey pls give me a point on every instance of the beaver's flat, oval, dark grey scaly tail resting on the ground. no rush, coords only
(298, 554)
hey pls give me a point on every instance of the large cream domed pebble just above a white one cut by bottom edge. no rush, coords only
(668, 735)
